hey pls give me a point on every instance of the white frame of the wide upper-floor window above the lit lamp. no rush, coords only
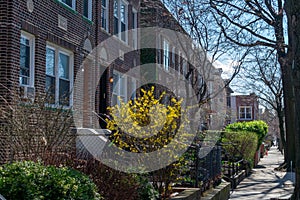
(118, 16)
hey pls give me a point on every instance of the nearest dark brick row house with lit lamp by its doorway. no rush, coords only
(45, 43)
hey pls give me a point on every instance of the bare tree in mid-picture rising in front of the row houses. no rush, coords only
(210, 47)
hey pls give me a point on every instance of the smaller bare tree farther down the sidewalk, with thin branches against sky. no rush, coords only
(263, 76)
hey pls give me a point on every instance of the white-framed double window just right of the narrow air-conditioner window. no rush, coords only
(59, 75)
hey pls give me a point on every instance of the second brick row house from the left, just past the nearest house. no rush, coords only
(173, 52)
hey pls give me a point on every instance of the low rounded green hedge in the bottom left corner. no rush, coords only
(29, 180)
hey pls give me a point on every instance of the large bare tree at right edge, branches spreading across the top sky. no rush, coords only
(254, 23)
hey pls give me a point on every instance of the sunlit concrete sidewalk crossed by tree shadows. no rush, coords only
(264, 182)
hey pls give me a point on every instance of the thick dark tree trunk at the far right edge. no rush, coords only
(293, 17)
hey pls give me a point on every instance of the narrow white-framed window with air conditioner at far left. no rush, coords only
(26, 59)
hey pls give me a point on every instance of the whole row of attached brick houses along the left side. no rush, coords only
(47, 45)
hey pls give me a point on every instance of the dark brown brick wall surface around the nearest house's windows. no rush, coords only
(42, 22)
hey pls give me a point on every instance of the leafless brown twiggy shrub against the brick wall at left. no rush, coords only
(32, 129)
